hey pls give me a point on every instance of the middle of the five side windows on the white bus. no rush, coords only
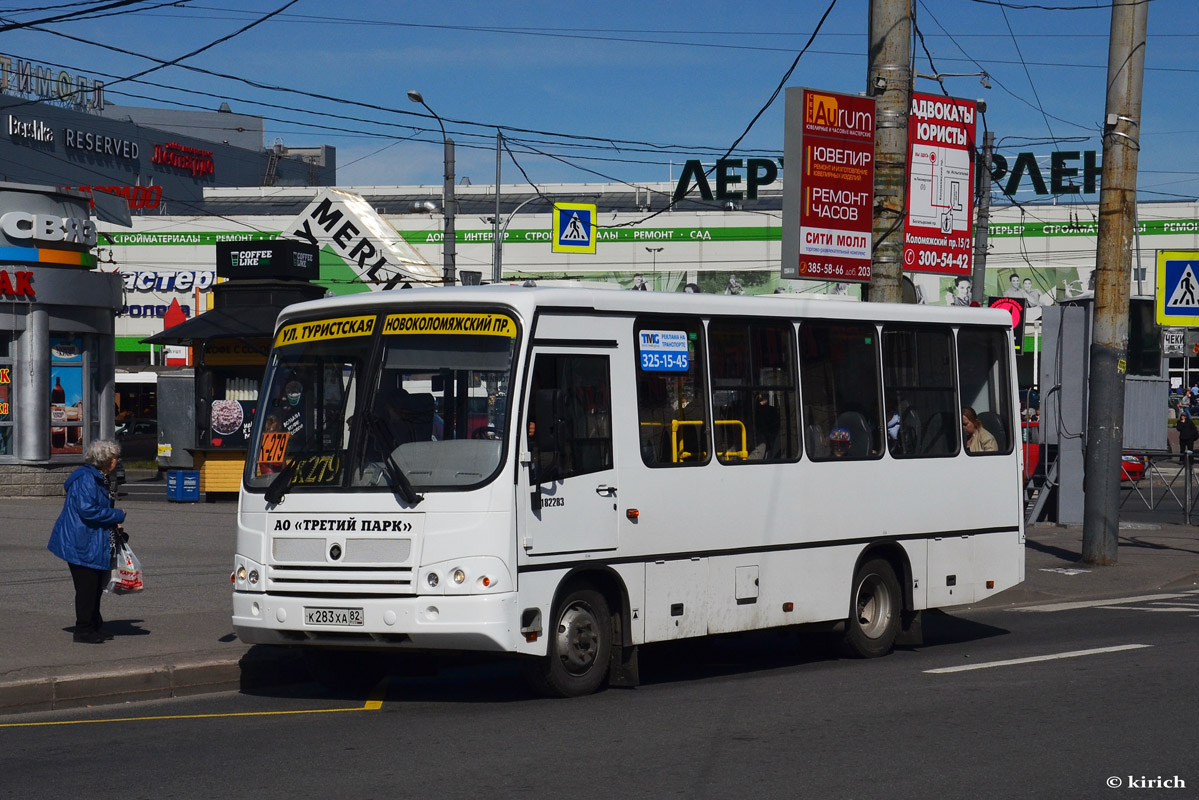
(840, 380)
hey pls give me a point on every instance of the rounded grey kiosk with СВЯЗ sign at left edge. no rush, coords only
(57, 339)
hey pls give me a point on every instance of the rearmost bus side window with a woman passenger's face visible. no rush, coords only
(983, 372)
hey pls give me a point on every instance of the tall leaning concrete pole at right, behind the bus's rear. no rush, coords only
(1110, 336)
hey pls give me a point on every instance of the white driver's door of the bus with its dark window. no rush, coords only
(569, 478)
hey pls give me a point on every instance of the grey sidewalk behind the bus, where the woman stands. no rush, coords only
(177, 639)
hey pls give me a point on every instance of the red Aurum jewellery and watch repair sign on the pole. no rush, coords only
(832, 139)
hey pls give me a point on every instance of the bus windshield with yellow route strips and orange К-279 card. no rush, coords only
(403, 402)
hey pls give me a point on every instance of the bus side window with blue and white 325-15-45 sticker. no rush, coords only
(672, 399)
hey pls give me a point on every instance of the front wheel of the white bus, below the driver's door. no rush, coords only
(580, 647)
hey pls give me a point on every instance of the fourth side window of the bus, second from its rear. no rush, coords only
(919, 392)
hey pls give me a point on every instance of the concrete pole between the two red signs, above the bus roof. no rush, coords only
(889, 81)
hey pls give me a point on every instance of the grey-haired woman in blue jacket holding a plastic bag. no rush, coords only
(81, 537)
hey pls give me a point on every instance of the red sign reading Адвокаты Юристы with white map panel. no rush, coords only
(939, 227)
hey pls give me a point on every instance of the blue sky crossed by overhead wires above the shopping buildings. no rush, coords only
(611, 93)
